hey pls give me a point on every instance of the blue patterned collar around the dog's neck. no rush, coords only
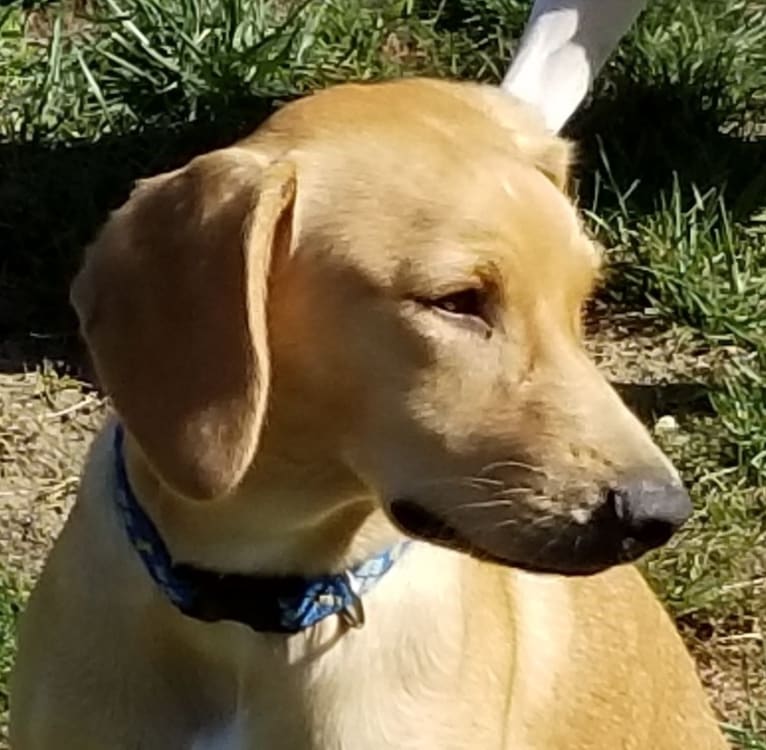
(280, 604)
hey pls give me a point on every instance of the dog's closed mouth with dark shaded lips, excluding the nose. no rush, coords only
(558, 547)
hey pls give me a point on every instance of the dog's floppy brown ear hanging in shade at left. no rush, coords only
(172, 304)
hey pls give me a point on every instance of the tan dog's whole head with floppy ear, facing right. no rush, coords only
(384, 285)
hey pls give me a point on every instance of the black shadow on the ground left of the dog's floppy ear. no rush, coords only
(53, 198)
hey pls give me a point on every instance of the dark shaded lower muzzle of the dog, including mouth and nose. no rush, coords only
(629, 519)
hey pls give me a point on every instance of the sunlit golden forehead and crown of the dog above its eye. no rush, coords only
(400, 175)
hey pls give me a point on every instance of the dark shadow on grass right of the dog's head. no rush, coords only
(653, 133)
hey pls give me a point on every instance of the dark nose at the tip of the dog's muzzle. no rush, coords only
(650, 511)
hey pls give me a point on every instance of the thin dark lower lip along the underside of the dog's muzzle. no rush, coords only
(420, 523)
